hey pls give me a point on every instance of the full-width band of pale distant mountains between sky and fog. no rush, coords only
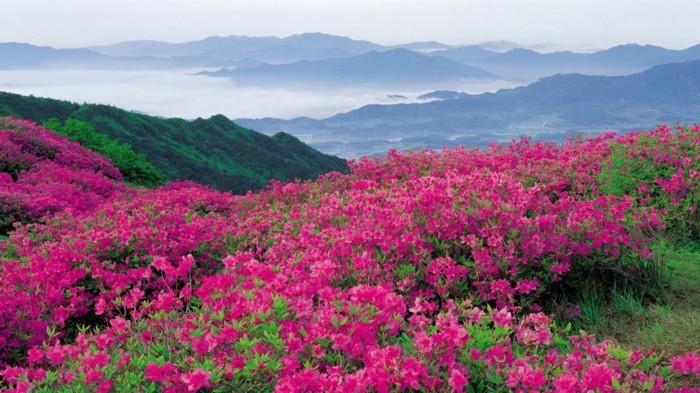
(298, 57)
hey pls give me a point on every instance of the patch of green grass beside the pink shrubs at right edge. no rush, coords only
(669, 325)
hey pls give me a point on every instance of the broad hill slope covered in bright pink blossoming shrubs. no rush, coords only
(427, 271)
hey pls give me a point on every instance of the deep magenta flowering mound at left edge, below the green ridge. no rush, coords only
(42, 174)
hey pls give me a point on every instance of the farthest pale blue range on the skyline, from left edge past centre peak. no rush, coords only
(208, 52)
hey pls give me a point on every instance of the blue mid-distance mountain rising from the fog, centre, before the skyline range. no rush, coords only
(395, 67)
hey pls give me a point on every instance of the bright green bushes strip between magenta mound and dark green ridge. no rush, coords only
(134, 166)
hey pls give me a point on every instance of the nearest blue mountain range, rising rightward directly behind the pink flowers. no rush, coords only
(554, 106)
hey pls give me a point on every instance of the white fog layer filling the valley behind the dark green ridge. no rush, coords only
(178, 93)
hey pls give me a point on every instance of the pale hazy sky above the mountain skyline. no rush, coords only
(574, 23)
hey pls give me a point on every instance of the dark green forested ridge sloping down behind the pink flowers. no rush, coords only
(213, 151)
